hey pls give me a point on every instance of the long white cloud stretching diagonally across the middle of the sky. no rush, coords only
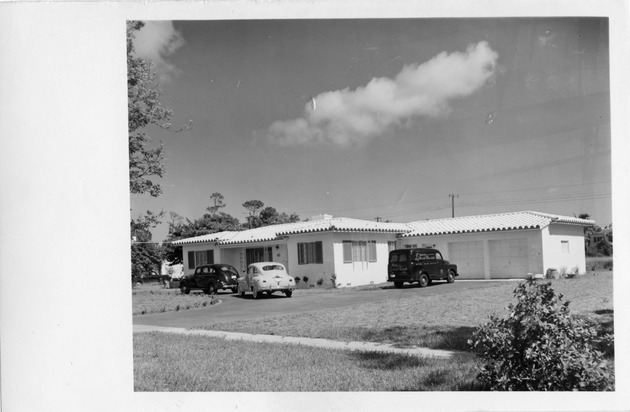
(352, 117)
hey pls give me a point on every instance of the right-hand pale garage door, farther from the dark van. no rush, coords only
(509, 258)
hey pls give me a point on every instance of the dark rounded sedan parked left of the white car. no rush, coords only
(210, 279)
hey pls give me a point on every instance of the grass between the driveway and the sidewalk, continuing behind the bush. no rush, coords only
(438, 322)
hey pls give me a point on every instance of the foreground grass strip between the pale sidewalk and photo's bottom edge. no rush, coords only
(202, 364)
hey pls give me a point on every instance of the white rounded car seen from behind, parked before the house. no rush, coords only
(266, 277)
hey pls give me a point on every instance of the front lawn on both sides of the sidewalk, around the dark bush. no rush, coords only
(169, 362)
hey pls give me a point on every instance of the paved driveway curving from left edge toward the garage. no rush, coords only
(235, 308)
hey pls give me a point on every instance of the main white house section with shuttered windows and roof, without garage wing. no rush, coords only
(355, 250)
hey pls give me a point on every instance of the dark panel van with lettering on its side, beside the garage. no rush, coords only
(422, 265)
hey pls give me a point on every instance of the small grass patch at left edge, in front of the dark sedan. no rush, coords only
(148, 299)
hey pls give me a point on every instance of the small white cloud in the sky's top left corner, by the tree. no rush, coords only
(156, 41)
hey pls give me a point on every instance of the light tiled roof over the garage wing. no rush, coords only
(490, 223)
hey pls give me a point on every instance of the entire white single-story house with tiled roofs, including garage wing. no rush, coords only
(508, 245)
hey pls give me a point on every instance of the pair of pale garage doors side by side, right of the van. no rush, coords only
(508, 258)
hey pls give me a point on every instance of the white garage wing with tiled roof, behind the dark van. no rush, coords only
(507, 245)
